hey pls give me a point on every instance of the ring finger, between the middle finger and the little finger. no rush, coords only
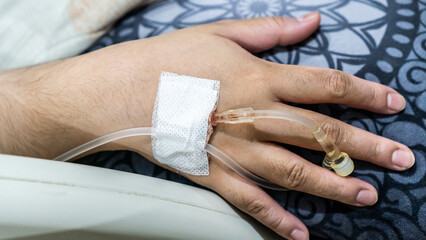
(287, 169)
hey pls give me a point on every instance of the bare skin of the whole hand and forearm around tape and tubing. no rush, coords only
(57, 106)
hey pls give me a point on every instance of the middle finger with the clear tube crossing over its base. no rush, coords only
(358, 143)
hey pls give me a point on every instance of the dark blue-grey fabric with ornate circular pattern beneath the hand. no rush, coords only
(380, 40)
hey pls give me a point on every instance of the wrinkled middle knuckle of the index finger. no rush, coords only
(338, 83)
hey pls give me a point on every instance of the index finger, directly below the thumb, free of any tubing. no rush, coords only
(312, 85)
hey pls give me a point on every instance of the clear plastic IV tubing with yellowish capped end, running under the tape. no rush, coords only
(339, 161)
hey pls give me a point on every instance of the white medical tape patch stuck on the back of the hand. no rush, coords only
(181, 121)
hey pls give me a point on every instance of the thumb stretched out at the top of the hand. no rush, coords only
(259, 34)
